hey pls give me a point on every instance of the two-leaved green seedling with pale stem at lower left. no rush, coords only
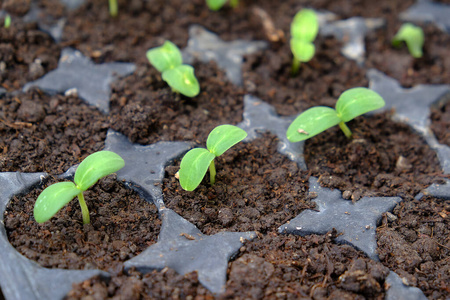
(91, 169)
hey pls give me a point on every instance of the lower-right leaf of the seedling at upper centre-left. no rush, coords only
(182, 79)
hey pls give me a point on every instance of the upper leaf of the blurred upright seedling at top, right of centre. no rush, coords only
(305, 25)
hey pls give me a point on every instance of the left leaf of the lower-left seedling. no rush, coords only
(52, 199)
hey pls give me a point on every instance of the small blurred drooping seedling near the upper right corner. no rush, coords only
(414, 38)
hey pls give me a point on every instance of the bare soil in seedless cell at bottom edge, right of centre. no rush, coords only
(293, 267)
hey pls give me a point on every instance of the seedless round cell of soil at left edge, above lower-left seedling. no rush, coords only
(41, 133)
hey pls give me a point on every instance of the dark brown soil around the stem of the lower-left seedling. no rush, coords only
(122, 226)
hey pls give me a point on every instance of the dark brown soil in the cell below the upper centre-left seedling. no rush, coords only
(150, 112)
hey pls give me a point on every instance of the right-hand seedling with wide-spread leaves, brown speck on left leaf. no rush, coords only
(352, 103)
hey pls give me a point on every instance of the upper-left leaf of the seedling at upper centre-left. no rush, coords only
(165, 57)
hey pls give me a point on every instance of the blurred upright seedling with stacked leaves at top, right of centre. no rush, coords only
(304, 29)
